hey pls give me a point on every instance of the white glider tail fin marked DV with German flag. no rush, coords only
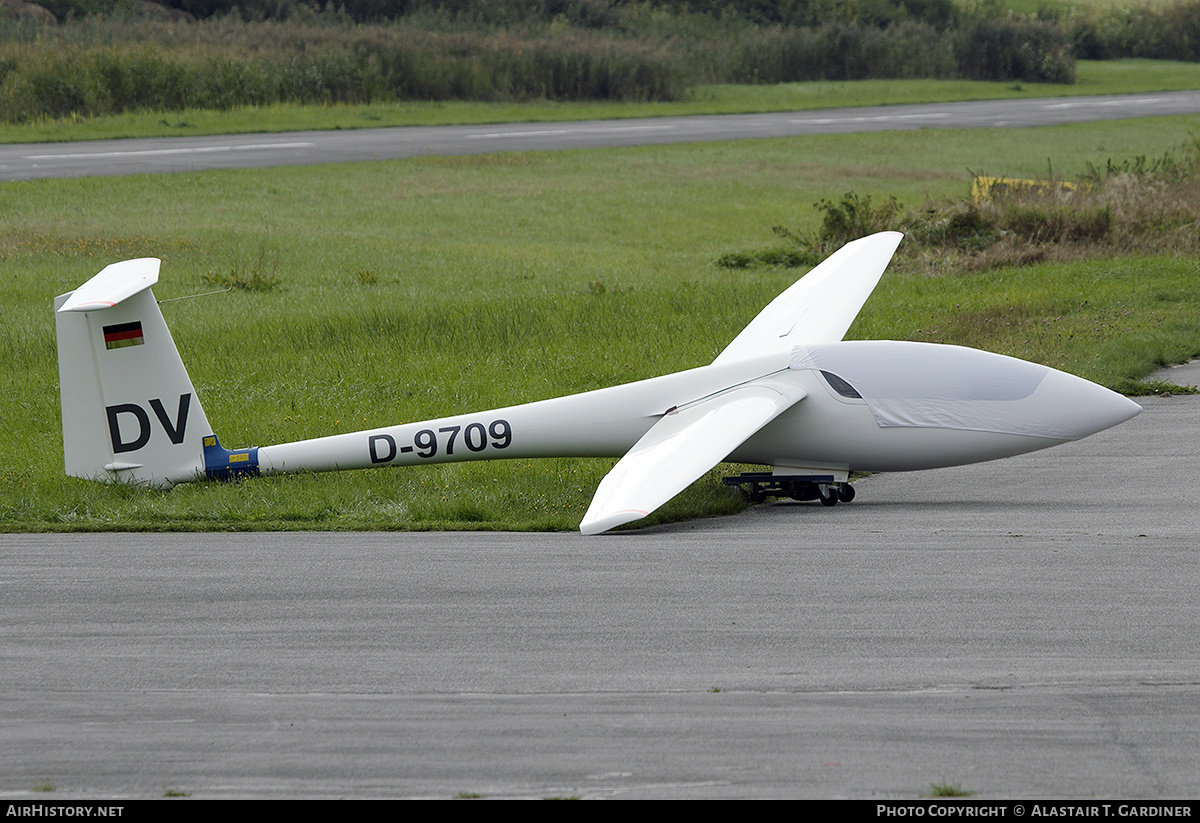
(130, 413)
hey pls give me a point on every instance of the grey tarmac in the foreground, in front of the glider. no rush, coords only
(1025, 629)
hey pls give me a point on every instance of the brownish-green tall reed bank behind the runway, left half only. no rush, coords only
(226, 64)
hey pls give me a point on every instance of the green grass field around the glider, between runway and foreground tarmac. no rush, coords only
(483, 293)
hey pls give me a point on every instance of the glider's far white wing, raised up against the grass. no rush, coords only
(821, 307)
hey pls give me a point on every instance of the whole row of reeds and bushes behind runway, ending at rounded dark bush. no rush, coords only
(110, 65)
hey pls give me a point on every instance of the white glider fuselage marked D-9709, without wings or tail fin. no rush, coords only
(829, 431)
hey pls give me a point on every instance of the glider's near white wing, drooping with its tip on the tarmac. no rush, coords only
(681, 448)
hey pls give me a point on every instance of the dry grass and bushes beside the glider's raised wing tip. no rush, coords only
(1132, 207)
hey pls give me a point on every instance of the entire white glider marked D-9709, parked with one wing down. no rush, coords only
(788, 393)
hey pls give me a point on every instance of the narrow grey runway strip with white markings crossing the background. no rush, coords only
(189, 154)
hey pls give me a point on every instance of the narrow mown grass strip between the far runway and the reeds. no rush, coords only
(1094, 79)
